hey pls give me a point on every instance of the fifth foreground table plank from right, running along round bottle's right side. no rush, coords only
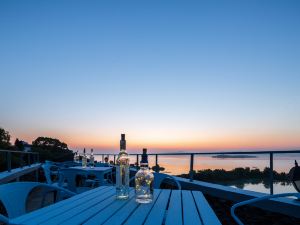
(140, 214)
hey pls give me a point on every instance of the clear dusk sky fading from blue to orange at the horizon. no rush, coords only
(172, 75)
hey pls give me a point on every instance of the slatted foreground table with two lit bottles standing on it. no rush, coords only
(99, 206)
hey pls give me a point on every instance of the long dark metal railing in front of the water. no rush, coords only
(192, 159)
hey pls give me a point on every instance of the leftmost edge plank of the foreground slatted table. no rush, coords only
(62, 204)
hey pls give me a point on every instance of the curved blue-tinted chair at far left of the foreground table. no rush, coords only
(15, 195)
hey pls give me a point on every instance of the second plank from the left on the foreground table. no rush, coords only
(82, 207)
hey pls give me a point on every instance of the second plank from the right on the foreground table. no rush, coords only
(190, 213)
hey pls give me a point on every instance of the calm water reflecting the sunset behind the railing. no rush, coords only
(176, 165)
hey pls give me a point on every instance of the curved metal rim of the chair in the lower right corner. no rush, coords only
(232, 210)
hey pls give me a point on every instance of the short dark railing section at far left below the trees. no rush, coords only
(22, 158)
